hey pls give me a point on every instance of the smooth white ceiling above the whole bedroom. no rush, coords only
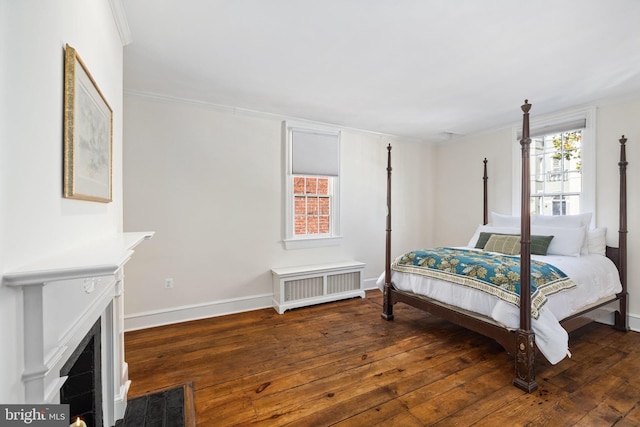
(415, 68)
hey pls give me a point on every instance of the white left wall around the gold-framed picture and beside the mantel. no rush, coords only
(35, 221)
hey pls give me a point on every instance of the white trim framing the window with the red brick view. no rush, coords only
(291, 241)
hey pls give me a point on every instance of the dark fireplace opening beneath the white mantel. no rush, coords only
(83, 388)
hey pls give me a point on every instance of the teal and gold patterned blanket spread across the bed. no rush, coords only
(498, 275)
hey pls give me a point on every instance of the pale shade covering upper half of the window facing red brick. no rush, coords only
(315, 153)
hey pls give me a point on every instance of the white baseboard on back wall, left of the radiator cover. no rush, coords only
(187, 313)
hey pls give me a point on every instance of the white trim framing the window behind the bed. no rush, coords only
(588, 195)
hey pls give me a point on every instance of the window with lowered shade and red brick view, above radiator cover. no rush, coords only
(312, 187)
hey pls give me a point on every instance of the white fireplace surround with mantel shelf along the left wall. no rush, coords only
(63, 297)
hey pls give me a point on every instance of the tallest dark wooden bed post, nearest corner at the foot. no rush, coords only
(525, 338)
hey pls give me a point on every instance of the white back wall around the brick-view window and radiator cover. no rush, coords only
(210, 183)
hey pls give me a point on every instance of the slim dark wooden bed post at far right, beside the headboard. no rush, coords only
(621, 318)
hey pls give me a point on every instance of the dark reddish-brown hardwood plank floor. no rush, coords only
(341, 364)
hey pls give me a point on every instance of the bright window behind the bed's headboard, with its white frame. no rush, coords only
(562, 164)
